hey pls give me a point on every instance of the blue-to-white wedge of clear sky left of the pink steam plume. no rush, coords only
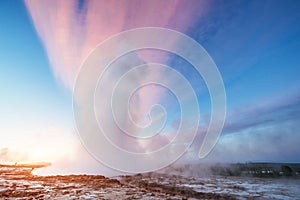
(32, 103)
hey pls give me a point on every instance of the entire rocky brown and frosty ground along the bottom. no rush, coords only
(145, 186)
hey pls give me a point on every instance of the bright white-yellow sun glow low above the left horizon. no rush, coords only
(44, 147)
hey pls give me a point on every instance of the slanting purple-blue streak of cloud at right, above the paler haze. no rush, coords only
(272, 110)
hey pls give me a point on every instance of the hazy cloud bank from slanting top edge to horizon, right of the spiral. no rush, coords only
(268, 132)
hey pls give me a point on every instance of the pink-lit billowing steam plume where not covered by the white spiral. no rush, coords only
(70, 30)
